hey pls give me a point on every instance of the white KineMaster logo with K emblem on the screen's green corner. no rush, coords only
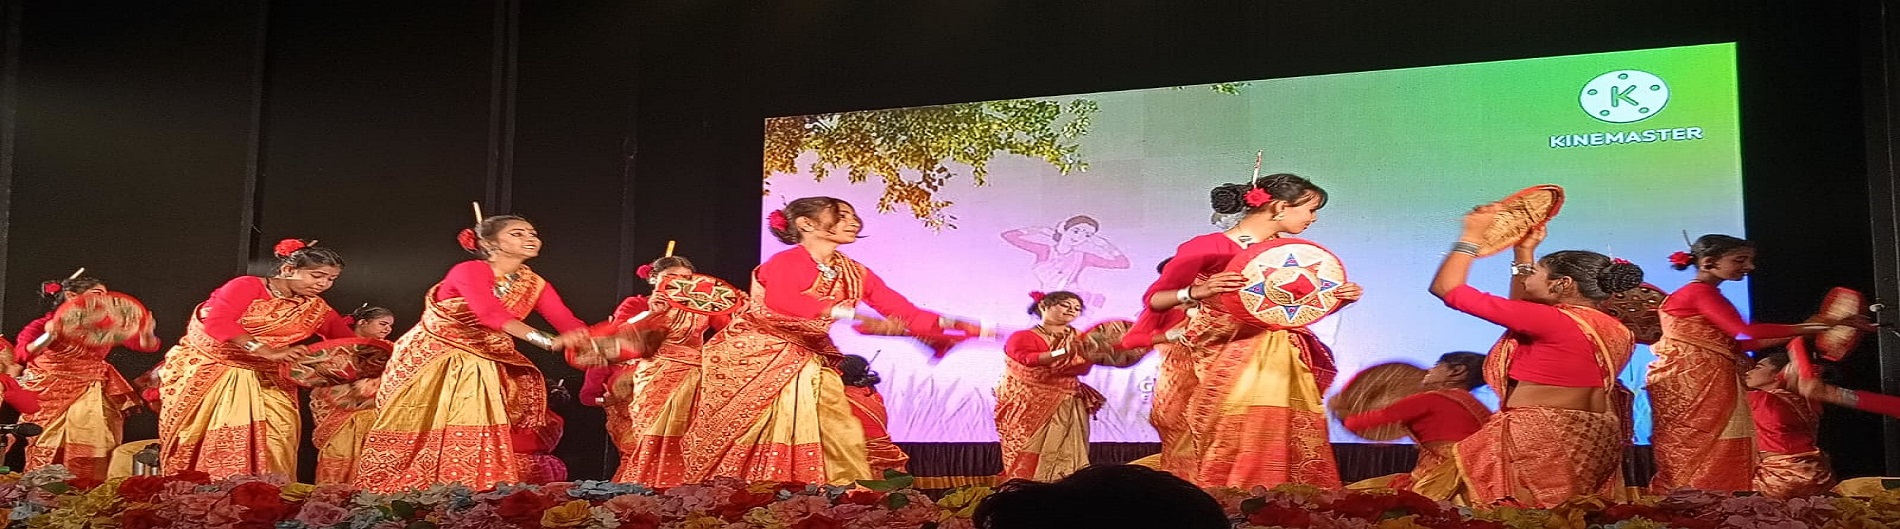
(1624, 98)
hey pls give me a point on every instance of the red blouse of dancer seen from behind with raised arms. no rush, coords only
(1551, 347)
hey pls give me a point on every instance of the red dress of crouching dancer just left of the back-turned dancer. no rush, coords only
(1435, 421)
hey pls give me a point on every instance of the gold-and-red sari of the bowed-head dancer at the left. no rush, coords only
(229, 412)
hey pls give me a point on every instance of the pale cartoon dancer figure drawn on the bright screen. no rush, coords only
(1061, 256)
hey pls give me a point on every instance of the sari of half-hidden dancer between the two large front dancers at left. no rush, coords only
(343, 416)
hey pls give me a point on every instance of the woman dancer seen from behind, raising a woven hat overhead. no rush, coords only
(1557, 433)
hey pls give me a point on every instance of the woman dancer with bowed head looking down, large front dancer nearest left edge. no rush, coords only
(229, 410)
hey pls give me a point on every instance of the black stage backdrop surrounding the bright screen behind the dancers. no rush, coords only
(166, 146)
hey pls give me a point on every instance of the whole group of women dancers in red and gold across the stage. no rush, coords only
(763, 393)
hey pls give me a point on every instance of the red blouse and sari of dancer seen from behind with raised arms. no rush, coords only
(1532, 454)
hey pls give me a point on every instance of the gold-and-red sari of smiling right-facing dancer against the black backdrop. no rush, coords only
(449, 399)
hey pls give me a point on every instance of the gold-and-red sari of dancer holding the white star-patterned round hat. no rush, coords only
(1259, 410)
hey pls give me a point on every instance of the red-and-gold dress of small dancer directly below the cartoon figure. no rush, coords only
(1042, 412)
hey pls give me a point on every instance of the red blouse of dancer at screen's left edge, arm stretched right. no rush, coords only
(789, 277)
